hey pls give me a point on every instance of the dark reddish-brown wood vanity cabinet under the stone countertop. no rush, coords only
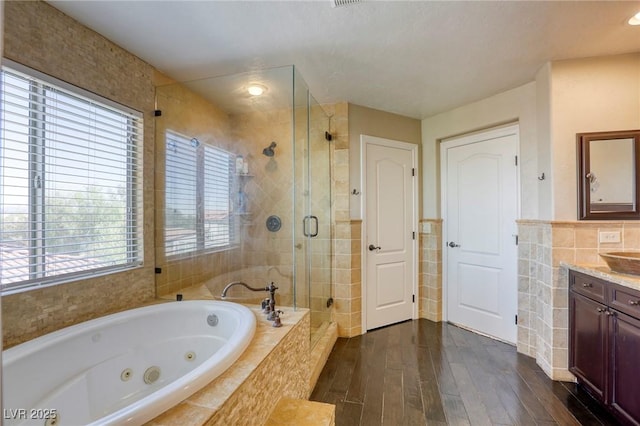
(604, 343)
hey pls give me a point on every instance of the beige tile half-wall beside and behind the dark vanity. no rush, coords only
(543, 315)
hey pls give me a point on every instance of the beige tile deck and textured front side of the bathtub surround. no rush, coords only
(275, 365)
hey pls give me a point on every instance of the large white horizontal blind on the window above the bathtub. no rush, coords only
(70, 183)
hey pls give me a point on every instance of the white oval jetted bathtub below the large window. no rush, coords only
(124, 368)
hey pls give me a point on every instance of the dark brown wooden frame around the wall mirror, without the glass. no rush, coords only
(584, 167)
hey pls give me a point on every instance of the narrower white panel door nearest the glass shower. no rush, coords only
(390, 217)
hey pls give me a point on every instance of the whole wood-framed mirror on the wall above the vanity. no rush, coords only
(608, 178)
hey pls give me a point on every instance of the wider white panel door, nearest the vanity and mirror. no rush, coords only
(480, 199)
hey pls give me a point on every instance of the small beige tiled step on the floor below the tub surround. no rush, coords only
(300, 412)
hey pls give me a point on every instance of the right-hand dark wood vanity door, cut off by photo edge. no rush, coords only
(625, 368)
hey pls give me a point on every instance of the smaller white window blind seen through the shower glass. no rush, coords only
(198, 188)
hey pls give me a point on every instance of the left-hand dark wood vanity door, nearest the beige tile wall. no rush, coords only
(588, 343)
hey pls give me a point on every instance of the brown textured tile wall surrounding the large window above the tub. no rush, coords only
(41, 37)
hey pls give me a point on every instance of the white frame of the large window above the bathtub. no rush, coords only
(132, 251)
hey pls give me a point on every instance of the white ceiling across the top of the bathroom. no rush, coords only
(414, 58)
